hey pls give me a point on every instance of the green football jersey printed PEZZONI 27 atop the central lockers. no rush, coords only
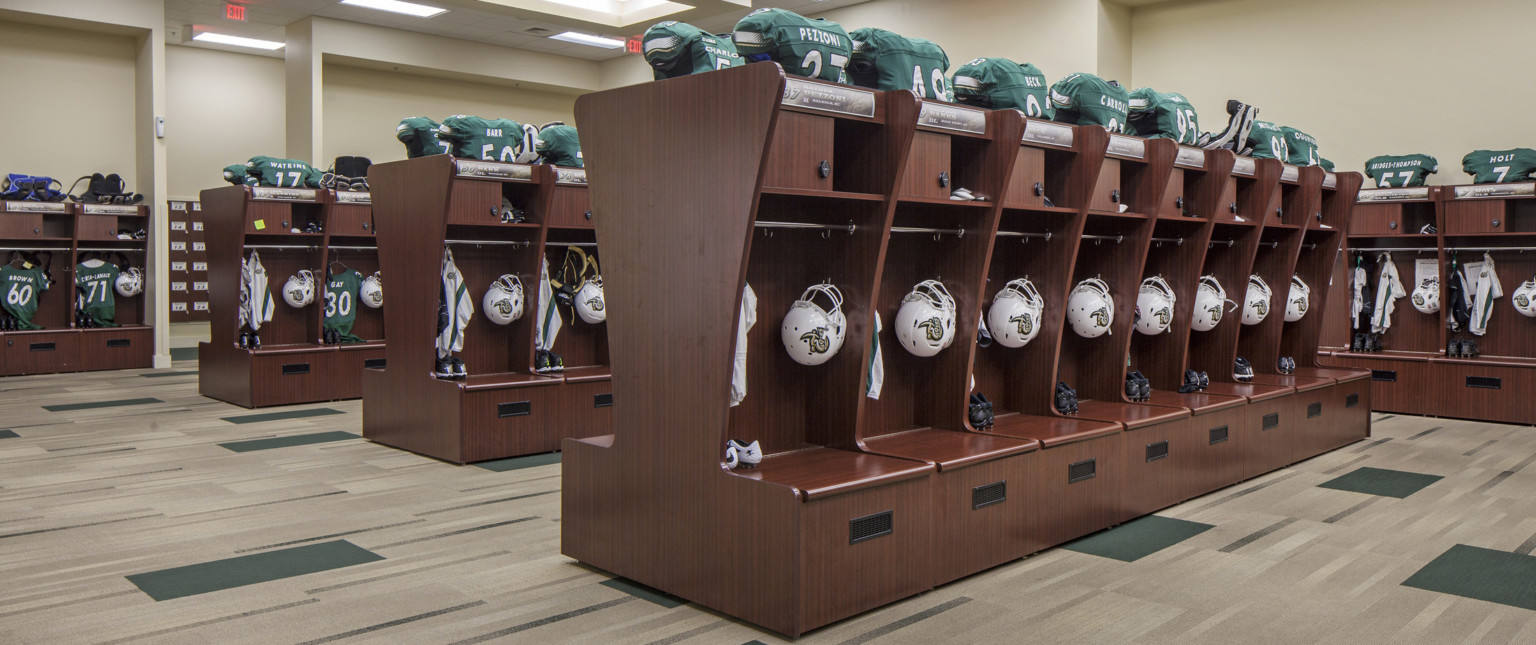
(810, 48)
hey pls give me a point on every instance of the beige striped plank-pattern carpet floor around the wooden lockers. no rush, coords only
(291, 529)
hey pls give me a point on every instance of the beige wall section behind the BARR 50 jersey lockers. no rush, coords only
(363, 107)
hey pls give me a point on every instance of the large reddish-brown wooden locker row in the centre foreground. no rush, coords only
(855, 491)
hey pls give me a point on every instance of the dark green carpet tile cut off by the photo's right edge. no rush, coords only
(1481, 574)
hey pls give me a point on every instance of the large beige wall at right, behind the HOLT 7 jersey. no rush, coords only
(1372, 78)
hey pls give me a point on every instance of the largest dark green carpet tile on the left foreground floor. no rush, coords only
(250, 571)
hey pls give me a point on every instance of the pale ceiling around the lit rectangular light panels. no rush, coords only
(466, 21)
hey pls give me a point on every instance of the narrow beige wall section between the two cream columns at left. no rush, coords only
(223, 108)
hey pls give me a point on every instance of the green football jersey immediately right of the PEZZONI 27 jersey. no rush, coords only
(887, 61)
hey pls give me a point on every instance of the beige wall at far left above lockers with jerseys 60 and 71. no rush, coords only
(59, 131)
